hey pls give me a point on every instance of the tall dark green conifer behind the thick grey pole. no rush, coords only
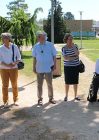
(59, 25)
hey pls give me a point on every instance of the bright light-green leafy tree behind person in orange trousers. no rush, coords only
(17, 29)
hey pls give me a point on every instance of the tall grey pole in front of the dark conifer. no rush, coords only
(52, 21)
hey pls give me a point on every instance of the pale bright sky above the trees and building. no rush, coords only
(90, 8)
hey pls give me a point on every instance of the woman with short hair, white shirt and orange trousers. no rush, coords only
(8, 68)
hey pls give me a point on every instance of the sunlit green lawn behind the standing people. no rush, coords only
(90, 49)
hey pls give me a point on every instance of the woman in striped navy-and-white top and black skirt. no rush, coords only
(70, 53)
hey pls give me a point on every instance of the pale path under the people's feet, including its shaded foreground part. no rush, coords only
(64, 121)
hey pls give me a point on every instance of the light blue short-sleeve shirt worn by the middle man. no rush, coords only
(44, 54)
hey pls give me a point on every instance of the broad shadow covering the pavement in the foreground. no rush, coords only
(65, 120)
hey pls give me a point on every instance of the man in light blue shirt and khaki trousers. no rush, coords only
(44, 55)
